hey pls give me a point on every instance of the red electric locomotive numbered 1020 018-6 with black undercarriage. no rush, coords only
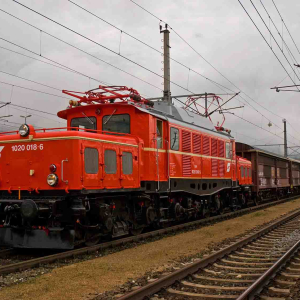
(122, 163)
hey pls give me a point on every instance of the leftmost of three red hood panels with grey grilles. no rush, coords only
(91, 173)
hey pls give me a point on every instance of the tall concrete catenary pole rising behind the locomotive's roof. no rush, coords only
(167, 90)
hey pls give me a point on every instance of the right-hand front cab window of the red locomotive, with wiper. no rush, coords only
(116, 123)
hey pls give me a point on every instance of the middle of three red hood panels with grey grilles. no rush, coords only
(111, 172)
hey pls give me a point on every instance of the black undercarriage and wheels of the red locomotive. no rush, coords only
(63, 223)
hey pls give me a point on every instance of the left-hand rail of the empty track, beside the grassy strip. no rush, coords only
(178, 275)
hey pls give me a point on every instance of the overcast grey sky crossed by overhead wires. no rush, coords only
(219, 30)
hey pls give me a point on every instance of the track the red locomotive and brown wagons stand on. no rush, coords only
(46, 259)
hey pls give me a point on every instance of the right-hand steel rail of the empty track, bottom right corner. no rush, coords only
(264, 279)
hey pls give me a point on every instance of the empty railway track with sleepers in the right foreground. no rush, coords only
(265, 262)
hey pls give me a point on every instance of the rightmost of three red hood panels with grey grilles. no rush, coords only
(129, 167)
